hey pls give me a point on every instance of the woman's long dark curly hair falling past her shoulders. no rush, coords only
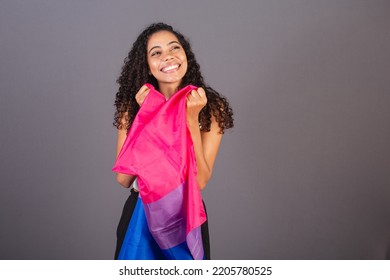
(135, 73)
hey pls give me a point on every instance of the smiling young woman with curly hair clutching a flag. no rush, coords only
(163, 58)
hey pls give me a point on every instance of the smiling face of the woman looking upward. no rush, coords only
(166, 58)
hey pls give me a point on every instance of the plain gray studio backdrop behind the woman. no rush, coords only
(303, 175)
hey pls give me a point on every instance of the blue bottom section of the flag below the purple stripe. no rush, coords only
(140, 245)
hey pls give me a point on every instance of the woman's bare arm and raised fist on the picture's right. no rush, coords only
(206, 144)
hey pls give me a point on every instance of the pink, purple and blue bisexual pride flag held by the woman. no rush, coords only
(166, 223)
